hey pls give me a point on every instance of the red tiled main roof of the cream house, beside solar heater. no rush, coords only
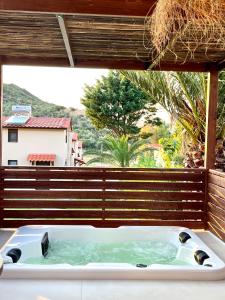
(40, 122)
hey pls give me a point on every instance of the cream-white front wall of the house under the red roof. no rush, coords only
(36, 141)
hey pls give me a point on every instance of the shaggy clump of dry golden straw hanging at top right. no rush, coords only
(187, 30)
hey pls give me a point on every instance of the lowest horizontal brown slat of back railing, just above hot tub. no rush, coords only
(103, 223)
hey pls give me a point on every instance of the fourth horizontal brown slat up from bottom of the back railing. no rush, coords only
(18, 194)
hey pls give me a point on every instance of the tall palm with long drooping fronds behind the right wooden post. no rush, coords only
(184, 97)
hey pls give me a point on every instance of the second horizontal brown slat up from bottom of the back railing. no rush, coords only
(166, 215)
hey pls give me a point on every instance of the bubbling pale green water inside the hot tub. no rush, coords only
(132, 252)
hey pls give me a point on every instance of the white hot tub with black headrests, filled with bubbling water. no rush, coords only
(85, 252)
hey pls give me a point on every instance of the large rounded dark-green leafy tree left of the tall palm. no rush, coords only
(117, 104)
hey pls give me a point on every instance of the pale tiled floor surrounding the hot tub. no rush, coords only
(115, 290)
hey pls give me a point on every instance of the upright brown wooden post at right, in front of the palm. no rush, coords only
(211, 119)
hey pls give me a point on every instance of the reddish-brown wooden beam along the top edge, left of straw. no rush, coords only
(92, 7)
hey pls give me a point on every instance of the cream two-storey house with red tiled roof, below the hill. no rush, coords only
(40, 141)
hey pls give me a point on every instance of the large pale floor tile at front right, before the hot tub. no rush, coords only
(154, 290)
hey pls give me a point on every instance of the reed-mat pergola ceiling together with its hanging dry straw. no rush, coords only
(34, 38)
